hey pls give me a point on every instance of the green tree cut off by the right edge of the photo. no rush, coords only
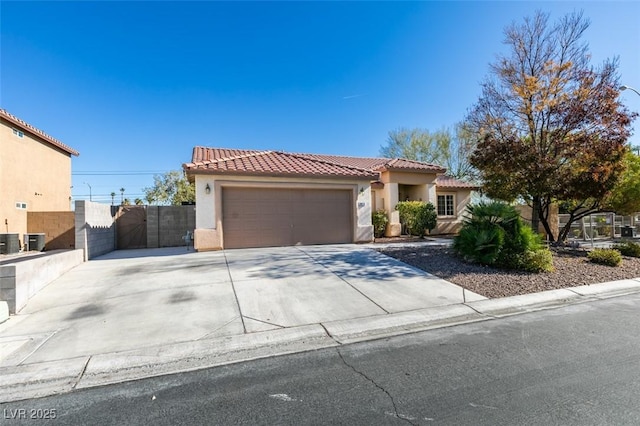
(625, 197)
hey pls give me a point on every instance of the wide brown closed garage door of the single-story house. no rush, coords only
(266, 217)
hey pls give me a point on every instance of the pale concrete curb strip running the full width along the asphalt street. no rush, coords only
(49, 378)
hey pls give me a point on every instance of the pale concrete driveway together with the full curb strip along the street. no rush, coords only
(167, 311)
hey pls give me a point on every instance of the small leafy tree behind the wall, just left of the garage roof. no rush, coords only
(170, 188)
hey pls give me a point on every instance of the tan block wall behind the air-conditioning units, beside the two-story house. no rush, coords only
(58, 227)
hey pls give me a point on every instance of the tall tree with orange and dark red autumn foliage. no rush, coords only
(550, 127)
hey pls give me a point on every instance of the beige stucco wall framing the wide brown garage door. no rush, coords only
(209, 233)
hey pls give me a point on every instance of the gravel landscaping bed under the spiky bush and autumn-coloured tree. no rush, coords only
(572, 268)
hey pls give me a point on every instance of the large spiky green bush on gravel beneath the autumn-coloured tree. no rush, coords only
(494, 234)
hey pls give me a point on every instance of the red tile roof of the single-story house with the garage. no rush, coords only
(277, 163)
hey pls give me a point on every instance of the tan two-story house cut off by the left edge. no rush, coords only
(35, 173)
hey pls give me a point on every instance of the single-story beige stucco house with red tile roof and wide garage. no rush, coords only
(249, 198)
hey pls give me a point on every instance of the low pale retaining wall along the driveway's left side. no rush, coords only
(20, 280)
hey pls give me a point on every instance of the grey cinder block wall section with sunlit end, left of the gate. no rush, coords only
(95, 228)
